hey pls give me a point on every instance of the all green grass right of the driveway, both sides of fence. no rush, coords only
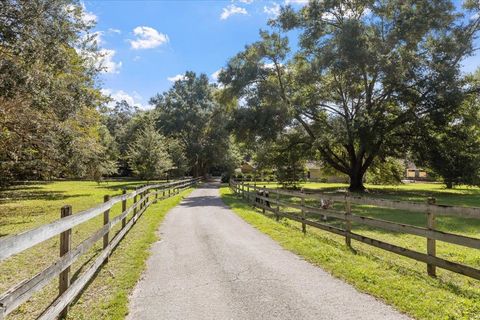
(397, 280)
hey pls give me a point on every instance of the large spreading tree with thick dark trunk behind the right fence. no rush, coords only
(367, 81)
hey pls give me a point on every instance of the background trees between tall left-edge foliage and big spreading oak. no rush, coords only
(185, 134)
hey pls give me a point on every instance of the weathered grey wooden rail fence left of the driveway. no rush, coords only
(14, 244)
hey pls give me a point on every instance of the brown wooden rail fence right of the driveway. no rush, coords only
(272, 196)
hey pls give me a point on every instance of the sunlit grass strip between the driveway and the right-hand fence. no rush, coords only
(409, 290)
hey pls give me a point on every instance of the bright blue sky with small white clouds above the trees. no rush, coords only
(147, 44)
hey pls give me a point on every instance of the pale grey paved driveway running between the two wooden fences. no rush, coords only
(210, 264)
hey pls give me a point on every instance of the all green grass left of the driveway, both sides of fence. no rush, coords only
(30, 205)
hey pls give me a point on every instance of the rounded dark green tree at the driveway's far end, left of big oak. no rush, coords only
(189, 113)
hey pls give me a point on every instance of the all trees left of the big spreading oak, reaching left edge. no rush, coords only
(54, 122)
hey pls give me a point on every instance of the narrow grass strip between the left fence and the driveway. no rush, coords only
(125, 267)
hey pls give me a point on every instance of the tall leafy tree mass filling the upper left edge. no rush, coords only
(47, 93)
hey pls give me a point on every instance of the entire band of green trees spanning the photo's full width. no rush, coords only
(366, 83)
